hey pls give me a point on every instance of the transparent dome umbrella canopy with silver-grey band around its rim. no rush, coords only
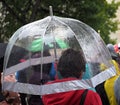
(44, 40)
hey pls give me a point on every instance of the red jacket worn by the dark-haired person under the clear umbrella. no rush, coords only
(71, 97)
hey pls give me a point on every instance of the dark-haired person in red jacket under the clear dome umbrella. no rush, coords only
(71, 66)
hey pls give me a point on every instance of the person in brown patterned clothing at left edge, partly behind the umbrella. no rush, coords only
(8, 97)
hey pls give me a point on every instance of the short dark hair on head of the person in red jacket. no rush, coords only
(71, 63)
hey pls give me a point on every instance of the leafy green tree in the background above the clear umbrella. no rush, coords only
(96, 13)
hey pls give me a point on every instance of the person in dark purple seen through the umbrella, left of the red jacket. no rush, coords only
(36, 77)
